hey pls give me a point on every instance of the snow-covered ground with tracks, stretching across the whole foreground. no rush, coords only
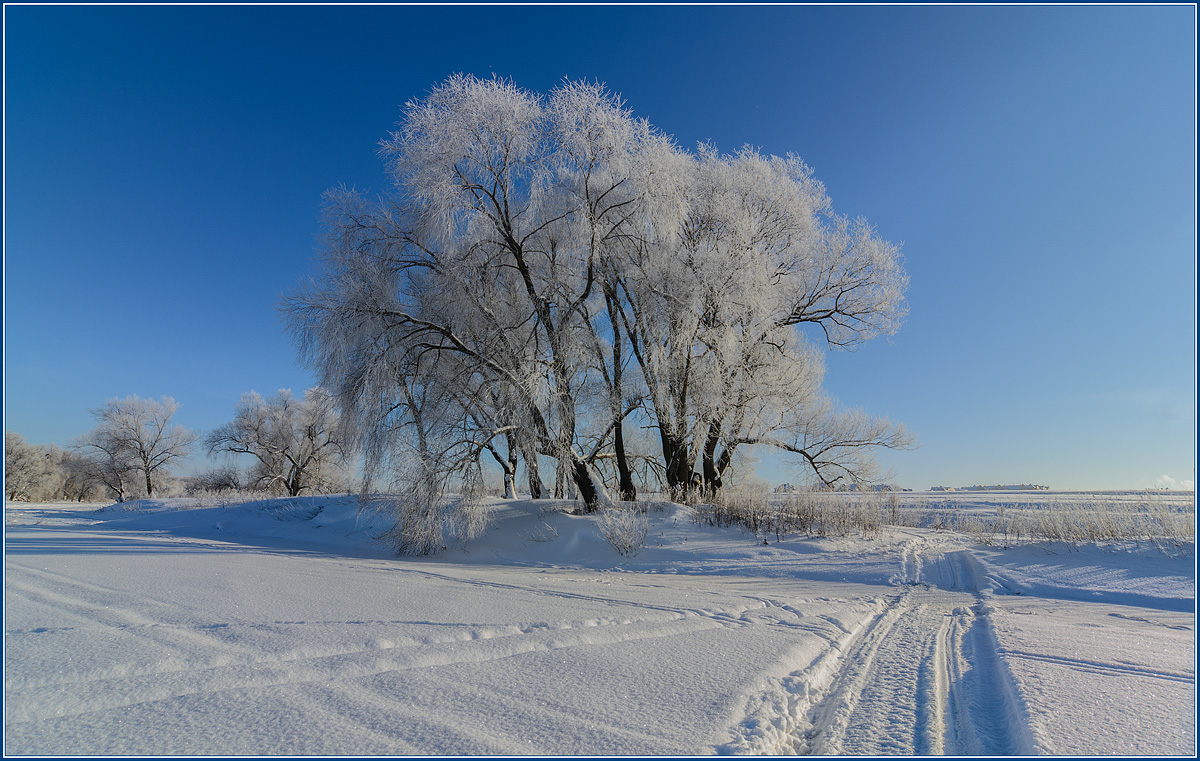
(281, 628)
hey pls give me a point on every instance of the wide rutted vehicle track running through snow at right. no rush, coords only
(922, 676)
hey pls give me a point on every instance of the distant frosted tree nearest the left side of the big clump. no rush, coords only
(297, 444)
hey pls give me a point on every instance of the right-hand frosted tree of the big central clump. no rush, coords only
(715, 307)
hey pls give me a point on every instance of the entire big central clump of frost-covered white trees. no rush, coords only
(549, 271)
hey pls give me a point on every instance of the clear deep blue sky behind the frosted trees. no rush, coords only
(164, 171)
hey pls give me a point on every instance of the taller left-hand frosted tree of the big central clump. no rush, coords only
(489, 251)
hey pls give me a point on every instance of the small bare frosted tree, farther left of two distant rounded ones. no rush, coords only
(135, 436)
